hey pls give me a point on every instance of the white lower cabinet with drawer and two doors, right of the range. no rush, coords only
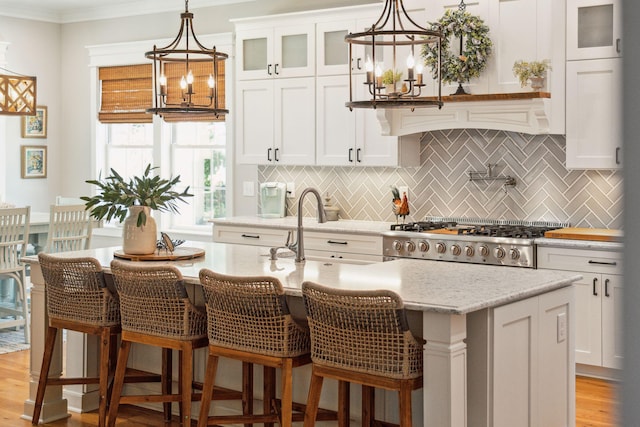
(598, 302)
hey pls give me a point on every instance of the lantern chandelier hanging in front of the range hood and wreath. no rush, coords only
(391, 39)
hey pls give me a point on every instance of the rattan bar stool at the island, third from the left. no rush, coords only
(249, 320)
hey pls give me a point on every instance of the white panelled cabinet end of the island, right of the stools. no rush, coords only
(527, 350)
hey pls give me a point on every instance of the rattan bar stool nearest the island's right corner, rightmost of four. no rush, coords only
(361, 337)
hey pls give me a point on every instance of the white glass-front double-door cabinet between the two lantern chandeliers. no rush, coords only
(280, 51)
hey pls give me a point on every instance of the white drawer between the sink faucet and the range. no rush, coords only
(345, 243)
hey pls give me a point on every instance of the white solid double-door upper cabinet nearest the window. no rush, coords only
(275, 121)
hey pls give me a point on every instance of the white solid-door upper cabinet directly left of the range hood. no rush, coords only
(345, 138)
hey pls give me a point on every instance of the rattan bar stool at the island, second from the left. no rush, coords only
(155, 310)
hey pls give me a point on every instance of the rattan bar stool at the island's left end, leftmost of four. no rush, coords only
(78, 299)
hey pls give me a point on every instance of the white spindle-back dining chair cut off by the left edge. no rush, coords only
(14, 236)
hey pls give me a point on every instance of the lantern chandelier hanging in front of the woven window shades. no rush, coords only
(185, 74)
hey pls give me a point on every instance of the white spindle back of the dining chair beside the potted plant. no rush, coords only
(70, 228)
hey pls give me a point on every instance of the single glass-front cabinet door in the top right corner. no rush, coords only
(594, 29)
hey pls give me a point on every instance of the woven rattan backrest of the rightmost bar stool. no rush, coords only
(363, 331)
